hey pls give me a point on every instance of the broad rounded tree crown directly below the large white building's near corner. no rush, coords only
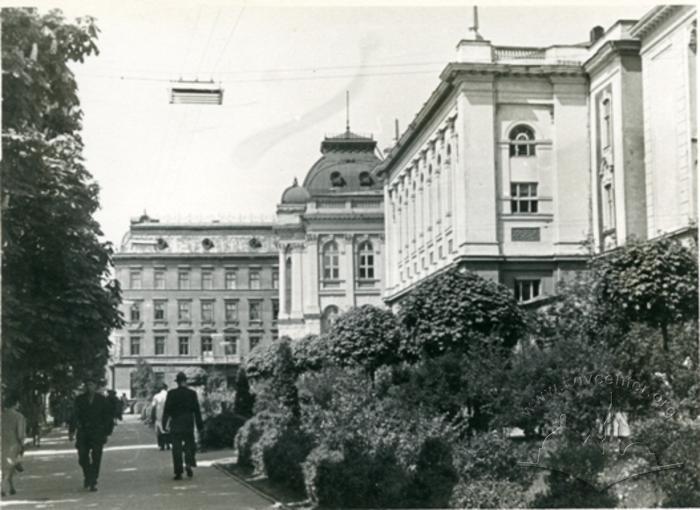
(453, 310)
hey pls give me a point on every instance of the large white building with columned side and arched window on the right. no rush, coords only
(523, 155)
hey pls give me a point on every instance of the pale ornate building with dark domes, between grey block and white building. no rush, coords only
(330, 234)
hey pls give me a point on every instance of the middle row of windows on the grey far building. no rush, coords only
(184, 310)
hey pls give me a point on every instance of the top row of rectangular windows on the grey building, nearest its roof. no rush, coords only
(184, 279)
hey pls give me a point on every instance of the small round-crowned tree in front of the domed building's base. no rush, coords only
(367, 336)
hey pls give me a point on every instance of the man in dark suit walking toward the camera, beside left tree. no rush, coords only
(94, 422)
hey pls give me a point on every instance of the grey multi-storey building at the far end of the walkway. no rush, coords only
(194, 295)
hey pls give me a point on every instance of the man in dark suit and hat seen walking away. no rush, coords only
(180, 415)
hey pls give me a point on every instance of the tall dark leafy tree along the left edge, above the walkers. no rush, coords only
(59, 304)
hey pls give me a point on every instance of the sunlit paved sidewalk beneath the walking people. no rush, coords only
(134, 475)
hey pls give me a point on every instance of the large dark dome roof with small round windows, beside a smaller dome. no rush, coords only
(347, 164)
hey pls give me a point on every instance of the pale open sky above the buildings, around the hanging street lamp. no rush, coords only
(285, 71)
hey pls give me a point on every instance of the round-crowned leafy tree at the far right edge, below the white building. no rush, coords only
(653, 282)
